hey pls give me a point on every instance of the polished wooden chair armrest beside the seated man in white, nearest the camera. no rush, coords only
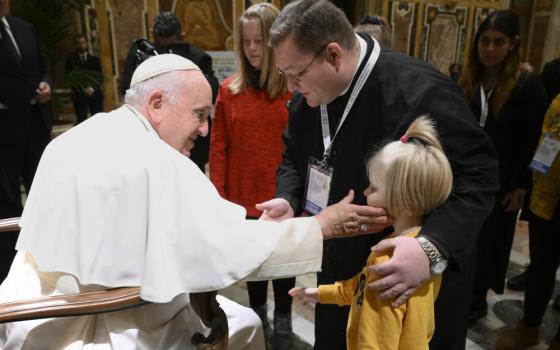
(71, 304)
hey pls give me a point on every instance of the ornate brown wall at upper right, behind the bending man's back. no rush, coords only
(440, 32)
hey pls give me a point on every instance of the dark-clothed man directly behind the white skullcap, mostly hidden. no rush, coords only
(168, 33)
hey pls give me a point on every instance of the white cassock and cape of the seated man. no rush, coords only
(112, 205)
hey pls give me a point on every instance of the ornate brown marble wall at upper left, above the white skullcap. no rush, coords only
(112, 25)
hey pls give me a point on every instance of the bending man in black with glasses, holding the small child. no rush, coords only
(350, 95)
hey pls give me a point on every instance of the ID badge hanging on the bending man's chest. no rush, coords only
(318, 187)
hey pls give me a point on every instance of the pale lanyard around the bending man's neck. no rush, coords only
(327, 141)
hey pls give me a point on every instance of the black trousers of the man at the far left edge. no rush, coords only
(18, 163)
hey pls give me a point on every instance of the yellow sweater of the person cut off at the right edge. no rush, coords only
(546, 187)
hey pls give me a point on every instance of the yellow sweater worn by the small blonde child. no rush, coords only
(375, 324)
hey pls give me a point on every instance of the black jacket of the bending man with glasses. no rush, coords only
(398, 90)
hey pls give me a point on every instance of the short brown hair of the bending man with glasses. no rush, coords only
(311, 24)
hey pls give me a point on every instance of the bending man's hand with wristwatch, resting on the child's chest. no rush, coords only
(408, 269)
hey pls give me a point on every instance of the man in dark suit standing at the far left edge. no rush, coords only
(25, 118)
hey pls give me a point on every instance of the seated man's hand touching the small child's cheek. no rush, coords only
(345, 219)
